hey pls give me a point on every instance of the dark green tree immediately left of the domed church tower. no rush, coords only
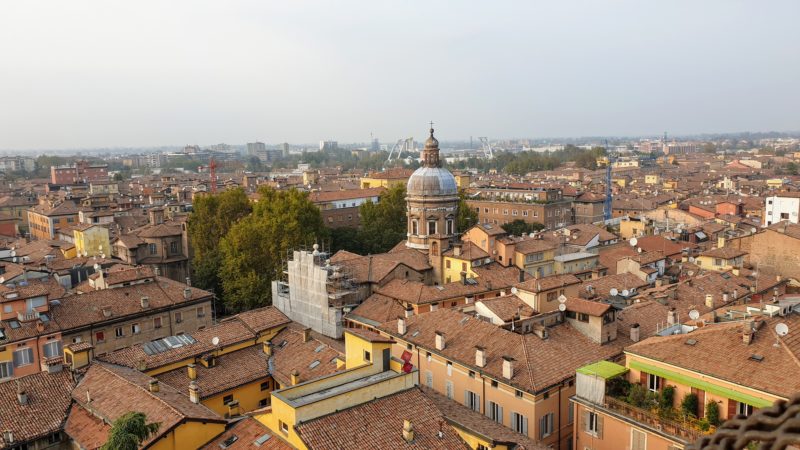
(383, 224)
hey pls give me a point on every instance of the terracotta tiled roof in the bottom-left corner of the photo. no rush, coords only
(47, 406)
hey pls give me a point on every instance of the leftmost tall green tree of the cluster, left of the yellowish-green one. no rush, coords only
(212, 217)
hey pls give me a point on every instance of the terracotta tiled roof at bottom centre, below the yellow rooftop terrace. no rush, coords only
(348, 429)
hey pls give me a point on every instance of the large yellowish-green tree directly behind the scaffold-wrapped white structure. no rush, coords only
(253, 250)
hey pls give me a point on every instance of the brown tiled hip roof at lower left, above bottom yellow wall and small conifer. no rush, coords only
(104, 385)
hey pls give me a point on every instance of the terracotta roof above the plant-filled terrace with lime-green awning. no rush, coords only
(719, 351)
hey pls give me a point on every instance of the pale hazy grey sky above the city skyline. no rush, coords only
(141, 73)
